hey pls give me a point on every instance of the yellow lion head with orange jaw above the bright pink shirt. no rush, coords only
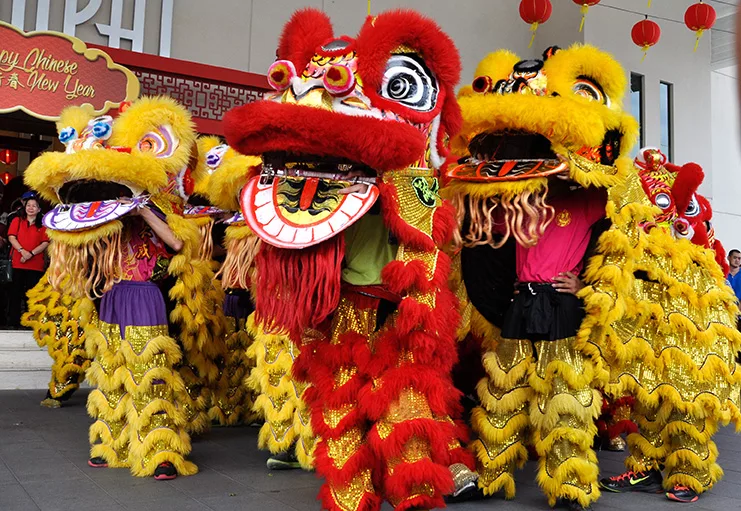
(527, 120)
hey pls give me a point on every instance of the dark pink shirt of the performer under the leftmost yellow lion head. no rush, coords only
(144, 253)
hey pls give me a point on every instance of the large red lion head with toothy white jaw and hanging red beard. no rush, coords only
(351, 121)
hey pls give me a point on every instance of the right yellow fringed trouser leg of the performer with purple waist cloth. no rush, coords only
(146, 358)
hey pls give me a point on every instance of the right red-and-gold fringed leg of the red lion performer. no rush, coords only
(410, 399)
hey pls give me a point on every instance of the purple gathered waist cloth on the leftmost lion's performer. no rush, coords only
(130, 303)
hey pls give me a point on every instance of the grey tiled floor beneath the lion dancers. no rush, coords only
(43, 455)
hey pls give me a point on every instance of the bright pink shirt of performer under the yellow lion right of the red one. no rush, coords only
(564, 243)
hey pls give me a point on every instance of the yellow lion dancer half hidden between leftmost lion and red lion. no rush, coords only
(259, 363)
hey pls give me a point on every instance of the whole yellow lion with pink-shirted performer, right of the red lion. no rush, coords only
(546, 355)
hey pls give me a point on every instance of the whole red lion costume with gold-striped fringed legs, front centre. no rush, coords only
(352, 121)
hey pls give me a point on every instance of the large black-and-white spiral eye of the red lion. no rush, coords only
(410, 83)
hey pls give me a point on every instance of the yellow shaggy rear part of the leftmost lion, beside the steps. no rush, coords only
(58, 322)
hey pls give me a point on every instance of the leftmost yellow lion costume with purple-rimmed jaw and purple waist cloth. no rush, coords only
(141, 403)
